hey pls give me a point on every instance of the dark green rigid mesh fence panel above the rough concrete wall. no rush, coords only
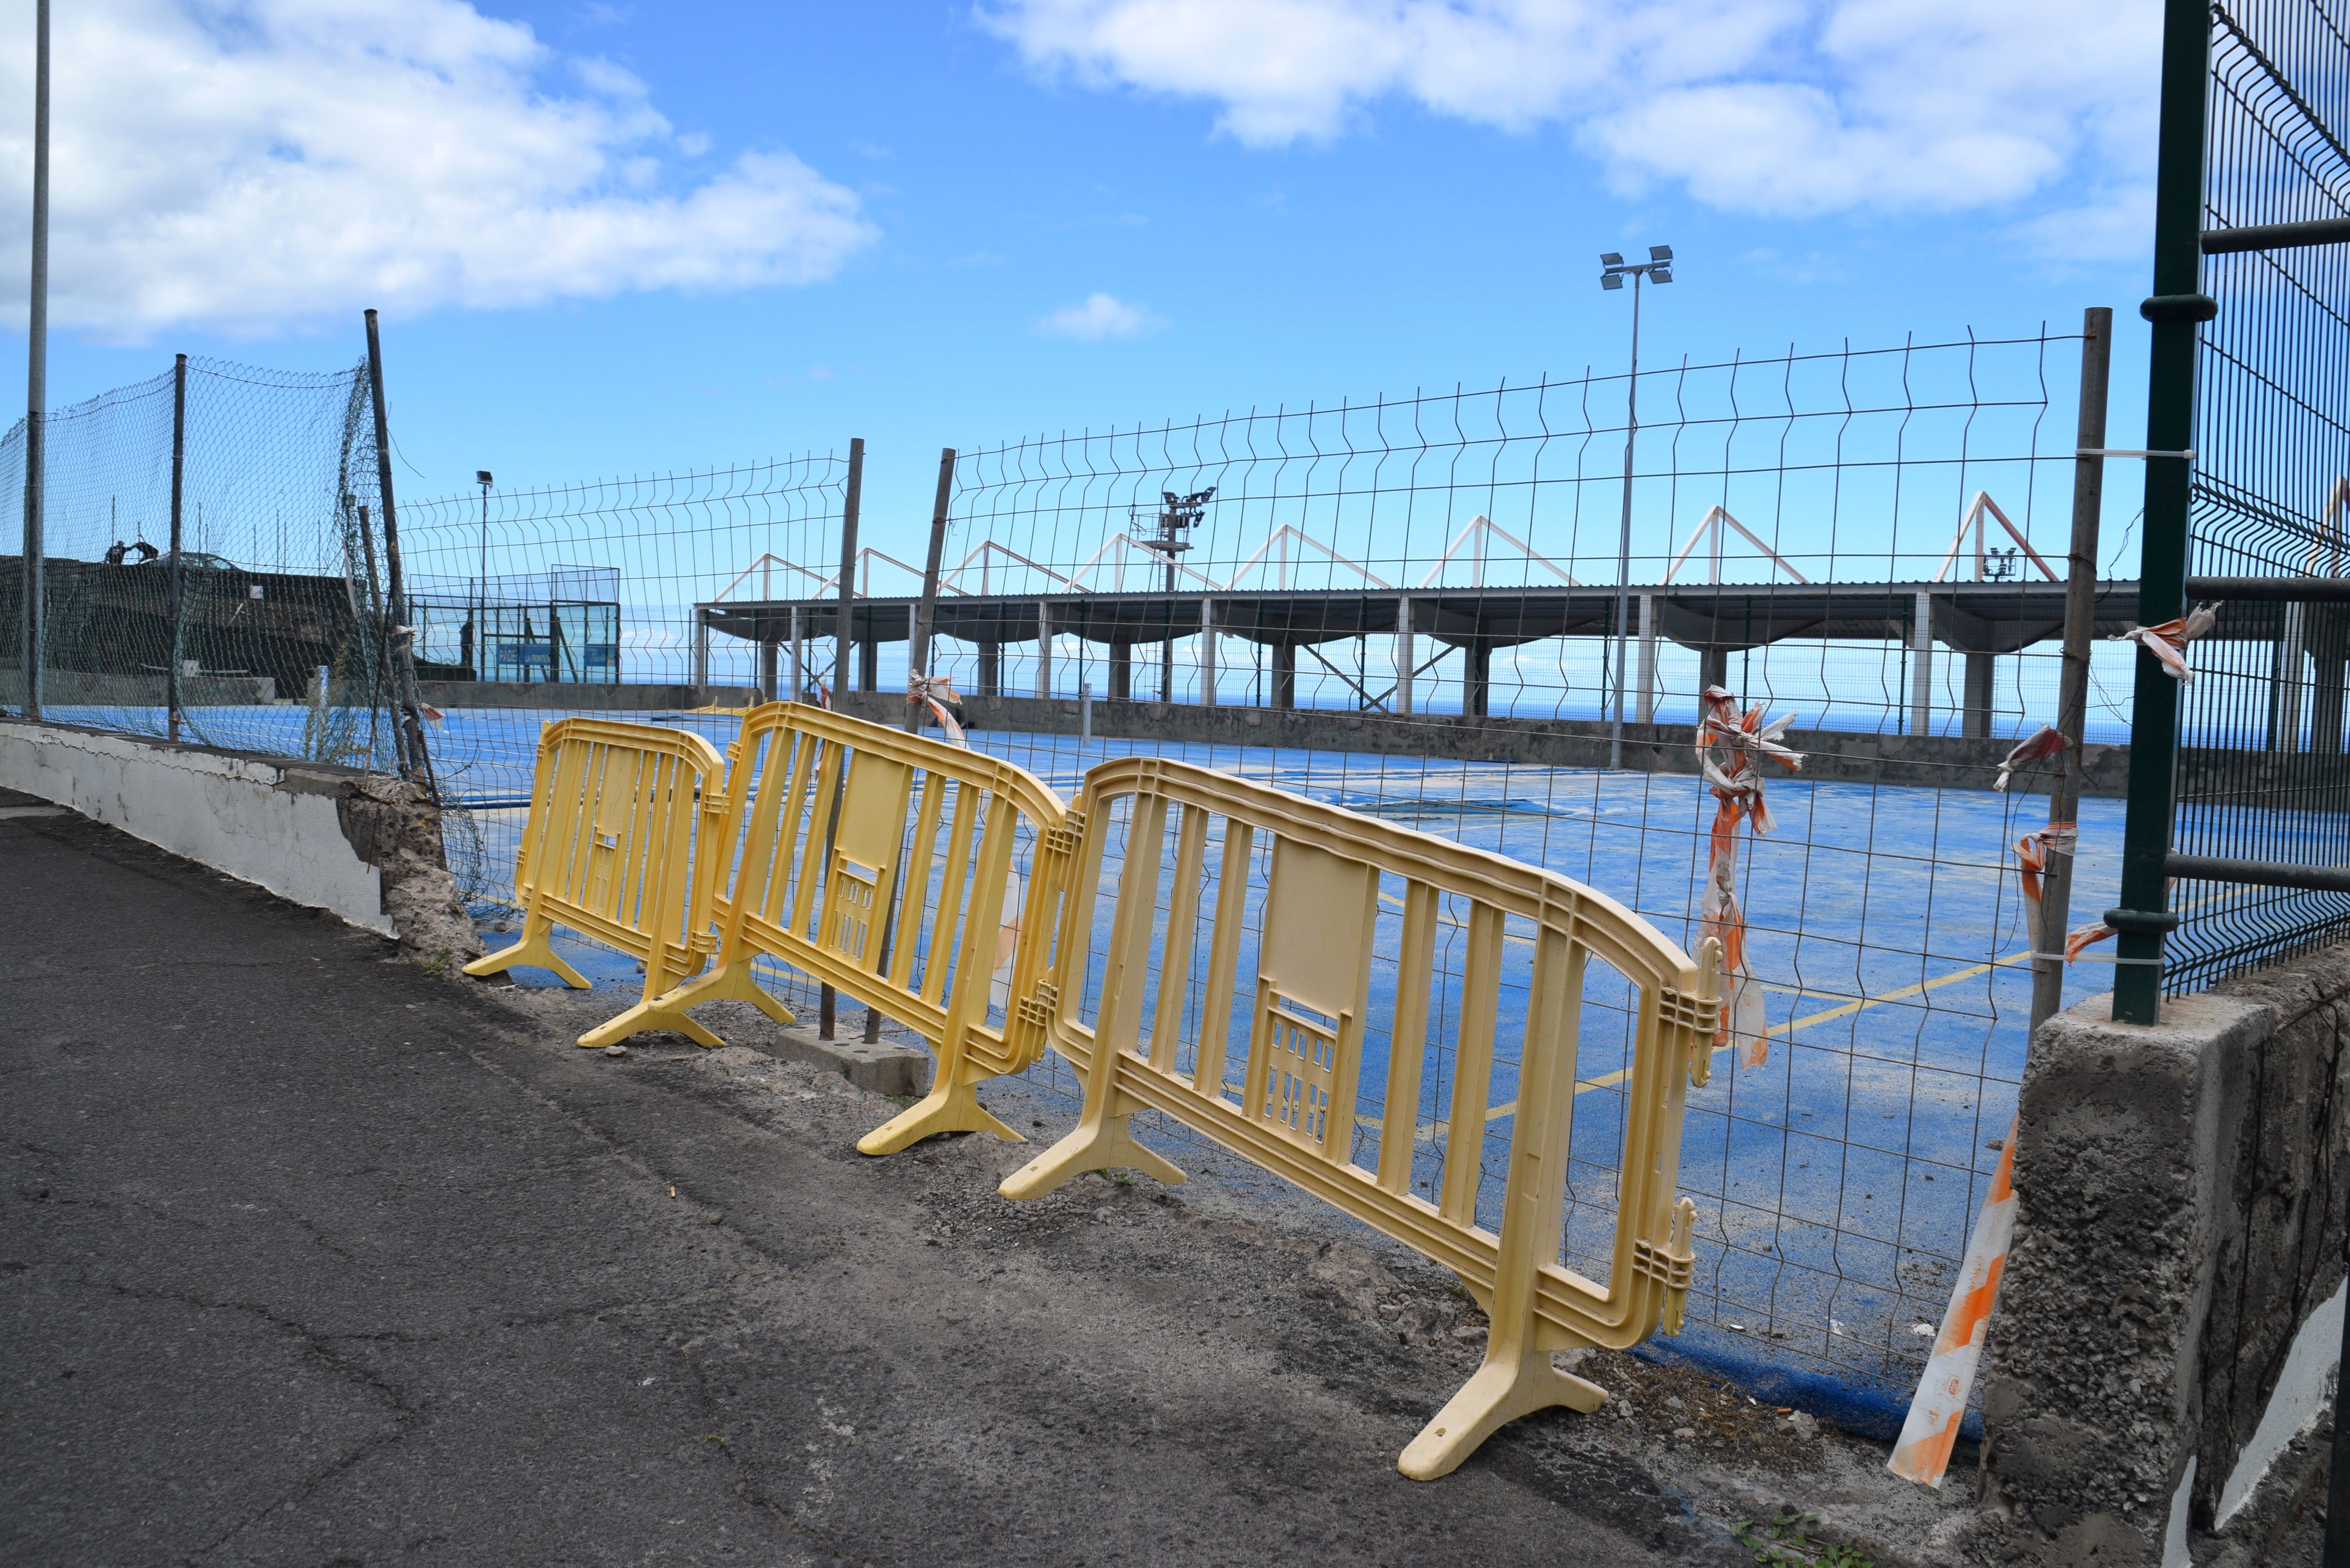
(2262, 728)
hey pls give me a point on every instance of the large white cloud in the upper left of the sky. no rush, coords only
(260, 163)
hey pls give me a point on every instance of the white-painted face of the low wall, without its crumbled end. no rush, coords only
(260, 822)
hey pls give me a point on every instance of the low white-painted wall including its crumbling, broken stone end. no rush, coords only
(361, 847)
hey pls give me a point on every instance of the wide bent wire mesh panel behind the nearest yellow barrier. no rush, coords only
(1411, 608)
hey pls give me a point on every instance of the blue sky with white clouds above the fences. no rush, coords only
(598, 255)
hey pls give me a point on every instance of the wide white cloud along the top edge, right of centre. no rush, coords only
(1775, 107)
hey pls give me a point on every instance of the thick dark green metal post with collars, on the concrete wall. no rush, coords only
(2175, 309)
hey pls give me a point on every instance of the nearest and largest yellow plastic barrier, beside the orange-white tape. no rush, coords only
(1305, 1047)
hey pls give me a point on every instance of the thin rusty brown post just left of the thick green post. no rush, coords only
(2074, 674)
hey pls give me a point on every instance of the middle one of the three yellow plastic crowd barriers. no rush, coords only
(831, 883)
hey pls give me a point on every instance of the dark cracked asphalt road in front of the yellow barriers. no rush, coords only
(314, 1257)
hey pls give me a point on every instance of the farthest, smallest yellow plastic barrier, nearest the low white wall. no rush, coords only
(615, 847)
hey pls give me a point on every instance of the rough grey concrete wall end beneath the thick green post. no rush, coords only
(2173, 1306)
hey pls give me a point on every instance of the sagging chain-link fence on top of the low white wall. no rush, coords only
(243, 605)
